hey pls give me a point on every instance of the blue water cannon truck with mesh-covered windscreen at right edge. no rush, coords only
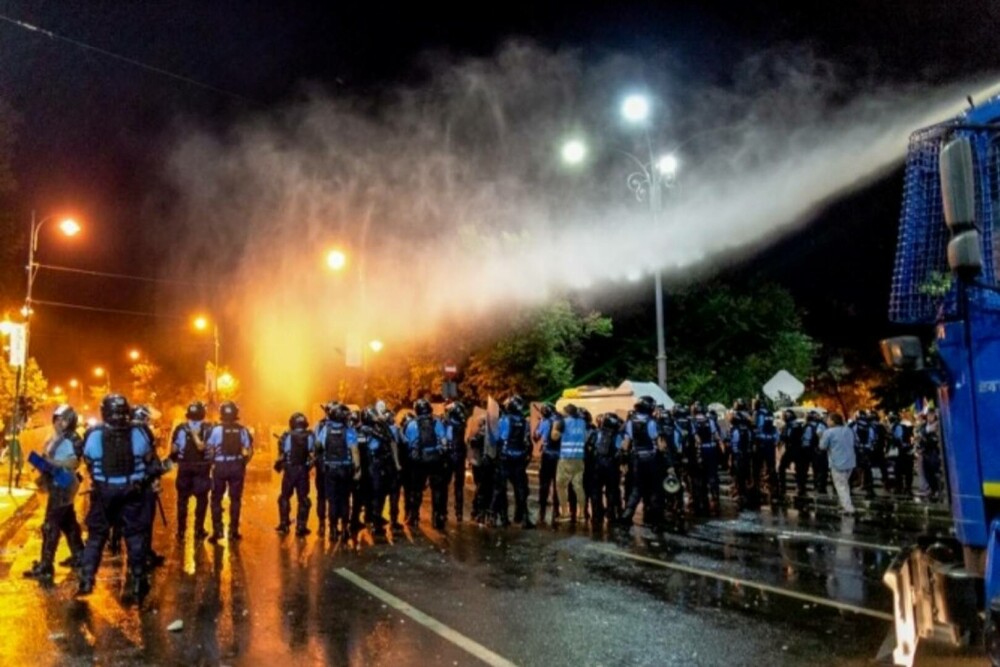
(946, 275)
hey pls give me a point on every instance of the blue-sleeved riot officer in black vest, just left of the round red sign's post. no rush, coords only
(426, 440)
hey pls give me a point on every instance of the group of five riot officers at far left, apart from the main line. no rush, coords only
(124, 468)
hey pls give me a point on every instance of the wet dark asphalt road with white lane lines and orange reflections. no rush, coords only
(764, 589)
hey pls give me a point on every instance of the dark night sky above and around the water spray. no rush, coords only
(92, 129)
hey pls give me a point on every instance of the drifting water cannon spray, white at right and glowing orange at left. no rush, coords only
(450, 199)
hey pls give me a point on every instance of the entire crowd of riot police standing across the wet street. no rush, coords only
(372, 469)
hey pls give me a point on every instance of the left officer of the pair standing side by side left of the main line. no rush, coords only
(194, 468)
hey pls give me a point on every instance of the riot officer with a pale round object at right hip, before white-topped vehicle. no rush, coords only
(648, 449)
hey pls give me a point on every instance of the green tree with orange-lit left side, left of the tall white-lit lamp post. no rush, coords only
(537, 356)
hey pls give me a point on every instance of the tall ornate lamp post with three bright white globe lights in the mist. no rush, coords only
(646, 183)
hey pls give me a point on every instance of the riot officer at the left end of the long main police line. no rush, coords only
(295, 457)
